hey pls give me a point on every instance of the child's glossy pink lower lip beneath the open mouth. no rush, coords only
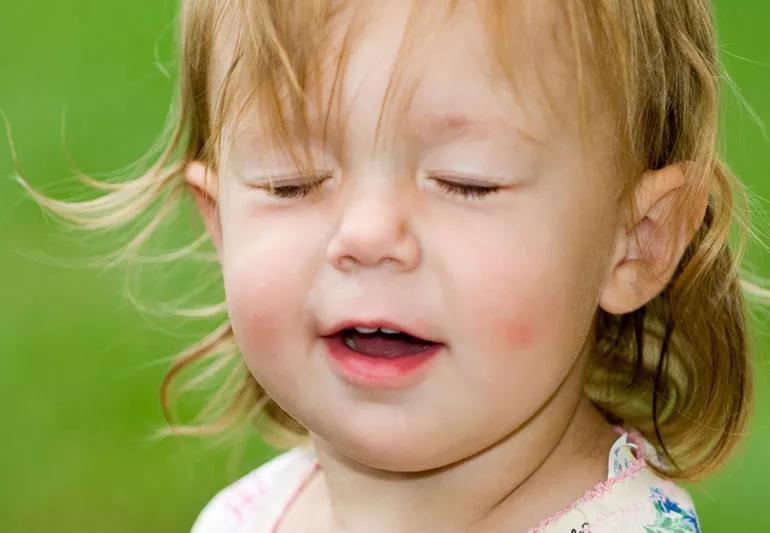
(378, 372)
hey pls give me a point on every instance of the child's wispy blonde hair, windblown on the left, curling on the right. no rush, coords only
(677, 369)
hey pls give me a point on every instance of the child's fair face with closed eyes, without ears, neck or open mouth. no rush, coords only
(509, 282)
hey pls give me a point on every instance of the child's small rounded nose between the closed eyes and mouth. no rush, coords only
(374, 229)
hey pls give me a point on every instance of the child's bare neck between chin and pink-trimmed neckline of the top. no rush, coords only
(534, 471)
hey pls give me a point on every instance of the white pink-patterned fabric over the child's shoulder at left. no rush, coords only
(257, 496)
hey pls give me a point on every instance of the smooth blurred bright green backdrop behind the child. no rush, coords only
(88, 83)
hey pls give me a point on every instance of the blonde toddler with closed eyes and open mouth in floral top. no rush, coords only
(474, 257)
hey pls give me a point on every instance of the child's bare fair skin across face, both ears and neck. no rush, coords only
(498, 434)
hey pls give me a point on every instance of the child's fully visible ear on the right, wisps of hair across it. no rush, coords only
(651, 241)
